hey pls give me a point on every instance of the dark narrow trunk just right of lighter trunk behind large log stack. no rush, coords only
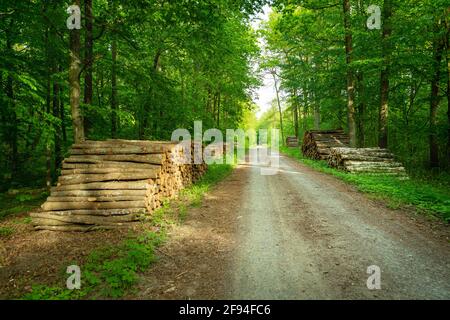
(88, 59)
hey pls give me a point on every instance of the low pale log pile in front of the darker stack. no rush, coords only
(365, 160)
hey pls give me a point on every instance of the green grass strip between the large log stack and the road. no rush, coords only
(112, 271)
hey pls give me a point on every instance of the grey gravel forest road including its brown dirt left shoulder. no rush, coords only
(299, 234)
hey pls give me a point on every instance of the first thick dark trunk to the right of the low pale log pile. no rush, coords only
(434, 101)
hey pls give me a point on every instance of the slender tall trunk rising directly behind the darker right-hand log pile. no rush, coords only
(350, 76)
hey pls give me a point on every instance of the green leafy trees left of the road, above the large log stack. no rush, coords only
(139, 70)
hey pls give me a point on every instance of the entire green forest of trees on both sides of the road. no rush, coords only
(140, 69)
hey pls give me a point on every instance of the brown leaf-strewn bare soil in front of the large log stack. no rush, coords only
(40, 257)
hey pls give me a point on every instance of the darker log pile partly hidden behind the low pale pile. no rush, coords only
(317, 144)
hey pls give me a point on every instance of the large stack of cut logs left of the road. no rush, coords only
(108, 184)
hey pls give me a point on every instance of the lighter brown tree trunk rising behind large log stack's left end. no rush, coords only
(74, 84)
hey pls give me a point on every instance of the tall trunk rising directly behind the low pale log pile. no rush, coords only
(384, 81)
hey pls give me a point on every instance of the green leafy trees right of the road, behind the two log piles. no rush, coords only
(385, 86)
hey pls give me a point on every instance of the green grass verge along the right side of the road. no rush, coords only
(428, 197)
